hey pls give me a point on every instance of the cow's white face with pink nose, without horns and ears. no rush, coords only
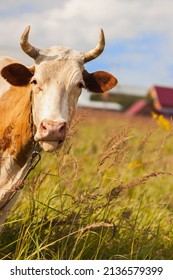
(56, 87)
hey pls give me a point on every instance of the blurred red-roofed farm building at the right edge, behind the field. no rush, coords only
(161, 100)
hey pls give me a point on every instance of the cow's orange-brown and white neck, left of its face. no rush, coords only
(15, 136)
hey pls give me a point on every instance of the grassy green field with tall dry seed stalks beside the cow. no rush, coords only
(108, 194)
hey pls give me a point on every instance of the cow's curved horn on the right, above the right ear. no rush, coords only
(92, 54)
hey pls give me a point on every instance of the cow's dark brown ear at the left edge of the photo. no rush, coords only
(17, 74)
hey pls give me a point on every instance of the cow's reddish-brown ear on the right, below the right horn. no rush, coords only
(99, 81)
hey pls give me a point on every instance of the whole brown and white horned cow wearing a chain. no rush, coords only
(37, 104)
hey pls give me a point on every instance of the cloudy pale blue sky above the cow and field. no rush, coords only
(139, 34)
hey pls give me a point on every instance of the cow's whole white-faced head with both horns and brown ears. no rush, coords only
(56, 80)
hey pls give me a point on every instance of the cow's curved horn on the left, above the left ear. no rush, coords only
(26, 46)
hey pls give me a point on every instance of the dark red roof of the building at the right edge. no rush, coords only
(165, 96)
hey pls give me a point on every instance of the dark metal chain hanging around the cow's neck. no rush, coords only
(34, 160)
